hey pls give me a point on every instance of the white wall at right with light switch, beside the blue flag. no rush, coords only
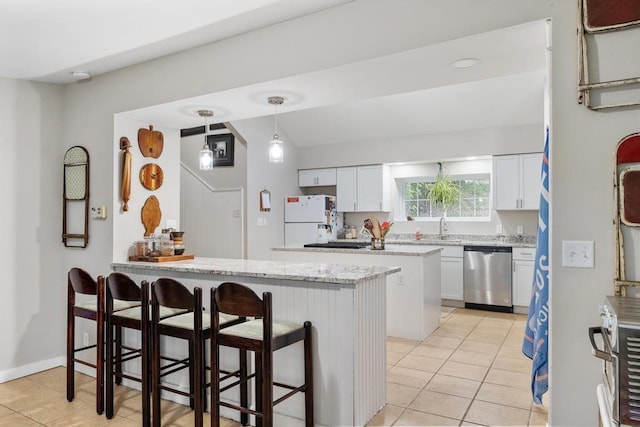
(582, 146)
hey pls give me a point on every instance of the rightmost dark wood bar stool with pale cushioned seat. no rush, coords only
(263, 336)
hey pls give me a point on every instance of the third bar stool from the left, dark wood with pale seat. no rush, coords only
(192, 326)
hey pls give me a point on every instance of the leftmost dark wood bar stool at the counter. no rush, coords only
(81, 282)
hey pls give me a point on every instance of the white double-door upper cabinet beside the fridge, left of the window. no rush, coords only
(362, 189)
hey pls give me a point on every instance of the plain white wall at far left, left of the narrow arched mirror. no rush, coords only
(33, 286)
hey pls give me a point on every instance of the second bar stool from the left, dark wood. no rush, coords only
(120, 289)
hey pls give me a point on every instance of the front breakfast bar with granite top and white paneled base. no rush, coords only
(346, 305)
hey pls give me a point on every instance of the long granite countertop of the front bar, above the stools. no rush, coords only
(300, 271)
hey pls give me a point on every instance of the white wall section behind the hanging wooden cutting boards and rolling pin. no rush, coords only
(127, 225)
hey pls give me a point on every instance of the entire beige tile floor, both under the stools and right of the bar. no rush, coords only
(470, 371)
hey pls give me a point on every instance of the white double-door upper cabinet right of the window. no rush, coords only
(517, 181)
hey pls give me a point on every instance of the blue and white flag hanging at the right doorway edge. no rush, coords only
(536, 340)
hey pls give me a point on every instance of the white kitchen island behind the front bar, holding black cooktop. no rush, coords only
(413, 294)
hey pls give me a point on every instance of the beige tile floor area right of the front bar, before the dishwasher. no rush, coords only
(470, 371)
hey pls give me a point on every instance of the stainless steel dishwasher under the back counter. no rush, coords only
(487, 278)
